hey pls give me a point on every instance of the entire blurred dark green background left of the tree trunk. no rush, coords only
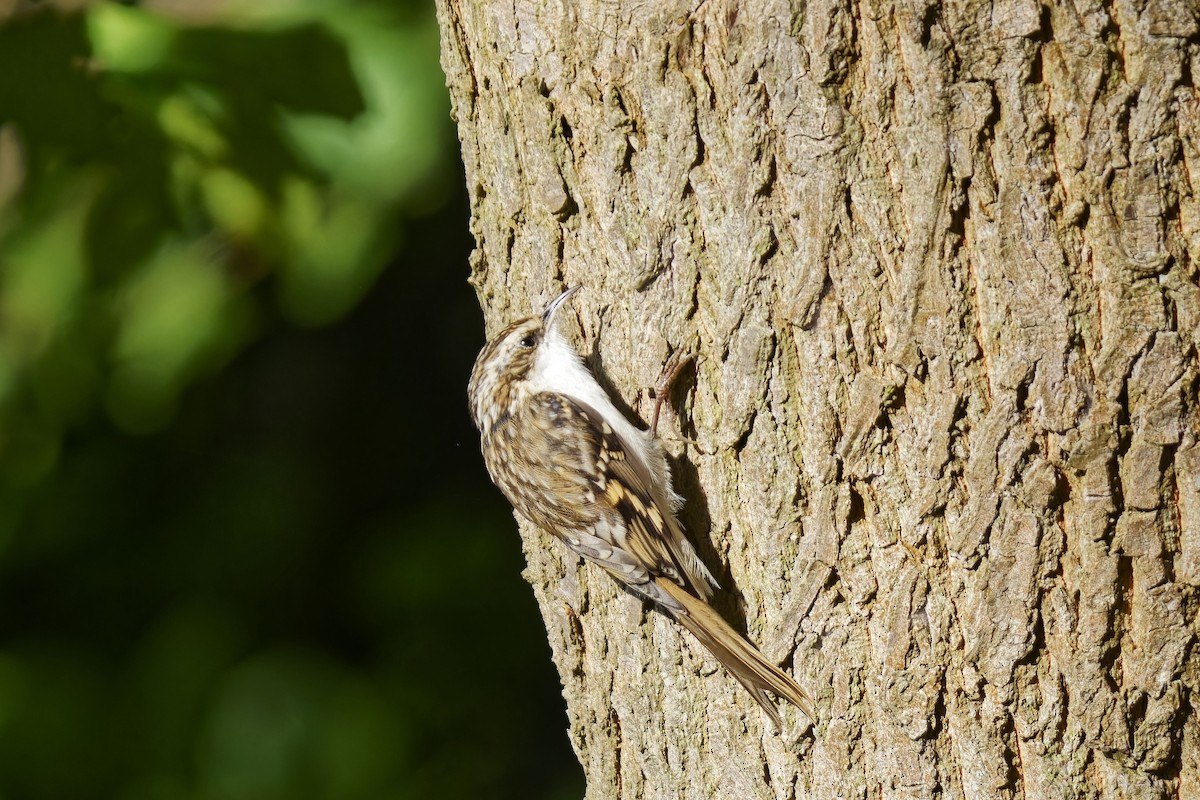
(248, 550)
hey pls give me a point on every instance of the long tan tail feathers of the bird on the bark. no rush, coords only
(741, 658)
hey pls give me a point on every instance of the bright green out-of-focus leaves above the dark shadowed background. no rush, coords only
(159, 171)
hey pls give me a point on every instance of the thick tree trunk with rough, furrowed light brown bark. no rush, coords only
(939, 264)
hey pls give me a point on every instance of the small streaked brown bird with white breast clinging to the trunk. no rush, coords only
(574, 466)
